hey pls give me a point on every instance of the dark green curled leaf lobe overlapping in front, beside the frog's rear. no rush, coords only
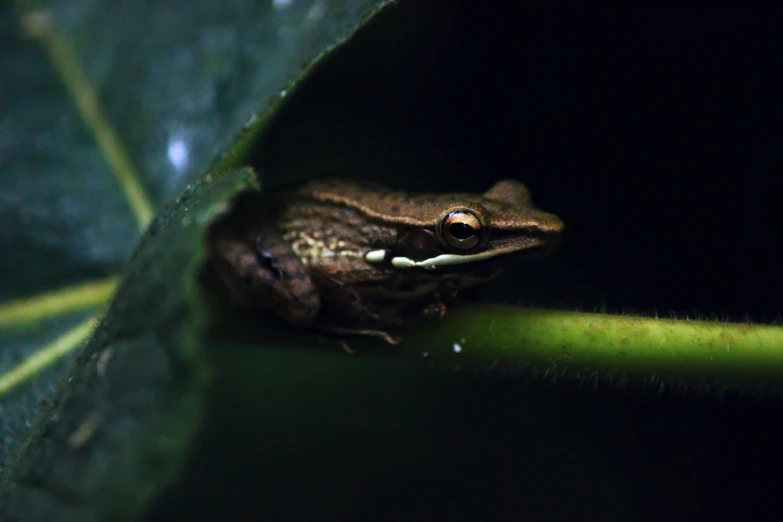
(121, 428)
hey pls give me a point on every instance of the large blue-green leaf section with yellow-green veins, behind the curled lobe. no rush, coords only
(170, 95)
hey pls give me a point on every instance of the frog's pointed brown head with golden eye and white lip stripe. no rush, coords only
(459, 233)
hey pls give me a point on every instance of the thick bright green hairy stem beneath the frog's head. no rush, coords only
(605, 346)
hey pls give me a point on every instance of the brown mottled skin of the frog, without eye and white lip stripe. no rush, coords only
(302, 253)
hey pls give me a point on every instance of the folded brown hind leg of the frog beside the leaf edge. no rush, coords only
(270, 275)
